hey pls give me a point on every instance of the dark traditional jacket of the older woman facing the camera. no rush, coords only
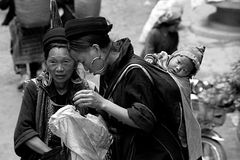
(40, 101)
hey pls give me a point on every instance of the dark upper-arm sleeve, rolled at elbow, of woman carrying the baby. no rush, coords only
(140, 93)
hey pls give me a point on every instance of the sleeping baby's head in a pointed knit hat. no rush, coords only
(186, 63)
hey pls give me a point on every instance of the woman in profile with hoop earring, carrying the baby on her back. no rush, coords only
(130, 105)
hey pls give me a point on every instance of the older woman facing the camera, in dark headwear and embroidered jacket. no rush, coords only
(43, 96)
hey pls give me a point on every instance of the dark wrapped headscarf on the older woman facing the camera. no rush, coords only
(53, 36)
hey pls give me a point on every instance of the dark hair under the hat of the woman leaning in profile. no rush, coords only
(86, 41)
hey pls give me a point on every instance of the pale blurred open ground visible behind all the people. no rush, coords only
(128, 18)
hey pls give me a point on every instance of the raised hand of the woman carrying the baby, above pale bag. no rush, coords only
(89, 98)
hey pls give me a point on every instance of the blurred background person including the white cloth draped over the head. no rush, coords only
(160, 32)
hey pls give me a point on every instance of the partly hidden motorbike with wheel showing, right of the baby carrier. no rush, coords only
(209, 116)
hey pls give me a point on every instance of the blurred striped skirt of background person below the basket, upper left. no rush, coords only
(26, 43)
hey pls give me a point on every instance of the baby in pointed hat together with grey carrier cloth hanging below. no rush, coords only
(182, 65)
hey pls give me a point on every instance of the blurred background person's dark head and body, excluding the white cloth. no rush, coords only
(162, 37)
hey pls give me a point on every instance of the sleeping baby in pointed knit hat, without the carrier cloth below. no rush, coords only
(182, 63)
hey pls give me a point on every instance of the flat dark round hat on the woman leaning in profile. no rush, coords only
(76, 28)
